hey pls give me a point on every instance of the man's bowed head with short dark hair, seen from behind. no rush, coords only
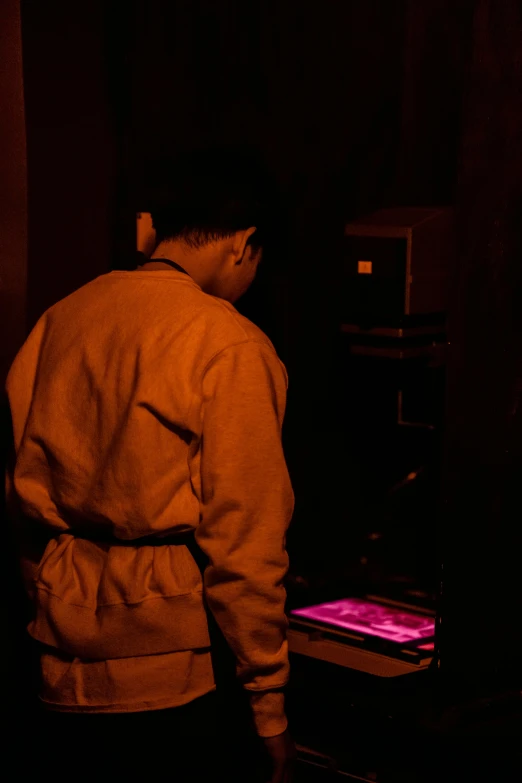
(215, 214)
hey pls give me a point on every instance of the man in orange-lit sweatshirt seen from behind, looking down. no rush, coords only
(148, 484)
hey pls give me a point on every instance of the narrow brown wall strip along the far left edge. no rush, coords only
(13, 282)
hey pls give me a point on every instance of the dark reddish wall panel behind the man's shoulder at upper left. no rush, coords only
(70, 148)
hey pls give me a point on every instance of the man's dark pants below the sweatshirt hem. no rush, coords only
(206, 740)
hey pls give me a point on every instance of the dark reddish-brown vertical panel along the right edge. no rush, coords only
(482, 532)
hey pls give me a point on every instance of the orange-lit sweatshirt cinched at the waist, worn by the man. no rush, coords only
(143, 406)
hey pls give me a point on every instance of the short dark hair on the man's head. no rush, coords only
(211, 193)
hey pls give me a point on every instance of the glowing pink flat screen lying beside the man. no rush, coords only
(371, 619)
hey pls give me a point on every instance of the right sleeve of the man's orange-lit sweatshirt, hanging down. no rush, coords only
(247, 505)
